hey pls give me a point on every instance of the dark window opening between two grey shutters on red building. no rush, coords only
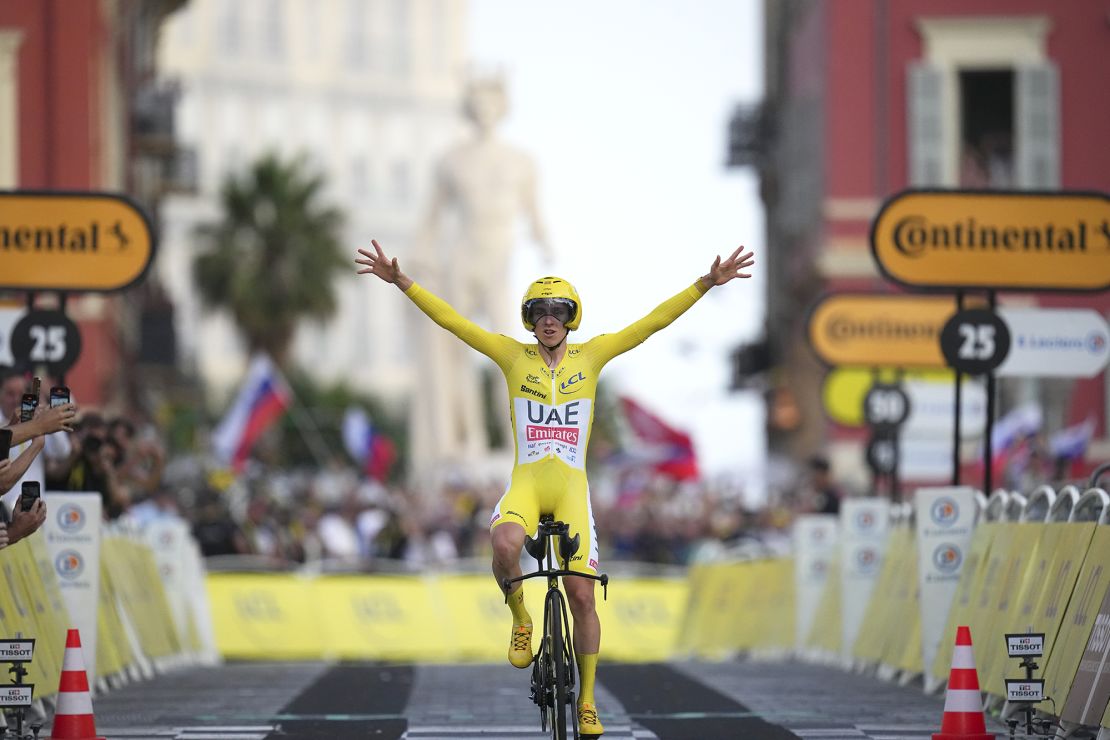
(986, 129)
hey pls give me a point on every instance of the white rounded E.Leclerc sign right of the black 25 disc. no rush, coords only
(1055, 343)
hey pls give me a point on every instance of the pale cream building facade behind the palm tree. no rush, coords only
(369, 93)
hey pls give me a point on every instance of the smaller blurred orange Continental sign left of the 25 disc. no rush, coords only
(880, 330)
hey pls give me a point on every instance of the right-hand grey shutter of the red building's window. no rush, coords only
(1037, 146)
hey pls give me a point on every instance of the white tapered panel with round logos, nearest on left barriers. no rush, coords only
(73, 535)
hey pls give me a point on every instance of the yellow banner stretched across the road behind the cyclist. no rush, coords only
(420, 619)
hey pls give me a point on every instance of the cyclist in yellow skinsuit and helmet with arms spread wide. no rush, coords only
(552, 386)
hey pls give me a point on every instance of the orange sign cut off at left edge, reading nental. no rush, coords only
(74, 242)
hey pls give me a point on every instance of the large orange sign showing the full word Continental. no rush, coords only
(988, 240)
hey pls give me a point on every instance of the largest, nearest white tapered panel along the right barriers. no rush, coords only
(945, 519)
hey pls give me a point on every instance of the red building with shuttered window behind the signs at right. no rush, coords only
(867, 98)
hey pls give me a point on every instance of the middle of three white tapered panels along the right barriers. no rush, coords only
(864, 528)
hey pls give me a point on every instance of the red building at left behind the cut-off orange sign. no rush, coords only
(72, 73)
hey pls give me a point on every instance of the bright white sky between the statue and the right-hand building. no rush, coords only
(624, 106)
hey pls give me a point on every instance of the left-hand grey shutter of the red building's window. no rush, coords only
(926, 133)
